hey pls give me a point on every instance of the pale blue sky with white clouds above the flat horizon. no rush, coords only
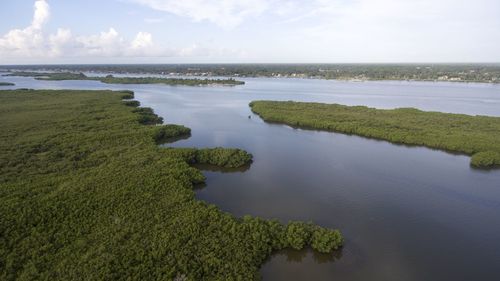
(248, 31)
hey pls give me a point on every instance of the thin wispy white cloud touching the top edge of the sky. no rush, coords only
(225, 13)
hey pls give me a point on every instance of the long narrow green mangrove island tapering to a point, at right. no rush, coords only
(478, 136)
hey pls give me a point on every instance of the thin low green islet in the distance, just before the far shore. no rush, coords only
(110, 79)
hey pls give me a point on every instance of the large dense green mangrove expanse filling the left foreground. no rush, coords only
(86, 193)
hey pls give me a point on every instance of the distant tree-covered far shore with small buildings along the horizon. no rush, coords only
(423, 71)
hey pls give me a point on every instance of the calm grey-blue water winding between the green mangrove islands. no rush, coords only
(407, 213)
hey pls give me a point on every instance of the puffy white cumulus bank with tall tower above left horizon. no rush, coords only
(33, 42)
